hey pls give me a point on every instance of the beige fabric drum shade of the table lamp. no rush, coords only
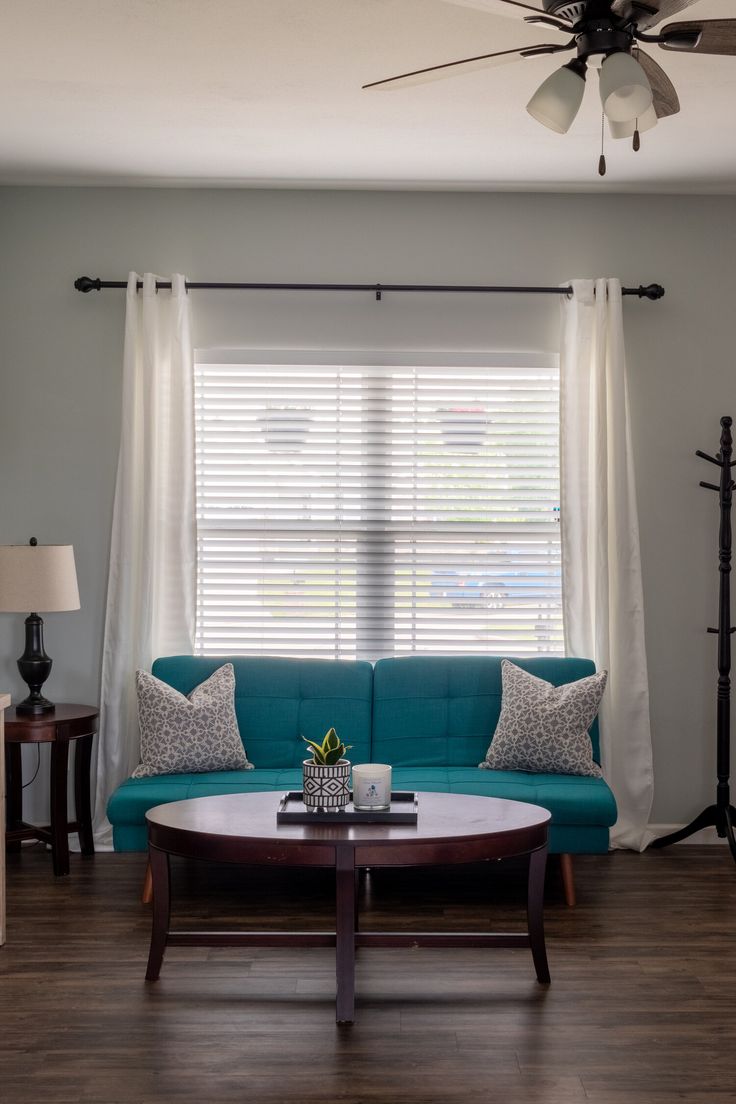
(38, 579)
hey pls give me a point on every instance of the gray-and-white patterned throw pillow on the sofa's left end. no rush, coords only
(195, 735)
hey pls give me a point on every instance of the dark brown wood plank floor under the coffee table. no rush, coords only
(642, 1009)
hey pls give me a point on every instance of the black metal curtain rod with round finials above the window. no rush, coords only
(88, 284)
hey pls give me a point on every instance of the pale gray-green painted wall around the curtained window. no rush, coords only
(61, 358)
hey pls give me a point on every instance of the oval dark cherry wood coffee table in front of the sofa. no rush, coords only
(453, 829)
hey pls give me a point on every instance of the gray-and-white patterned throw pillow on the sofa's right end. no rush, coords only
(545, 728)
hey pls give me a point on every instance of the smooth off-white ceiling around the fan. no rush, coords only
(268, 92)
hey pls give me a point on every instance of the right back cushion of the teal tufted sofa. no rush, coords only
(443, 710)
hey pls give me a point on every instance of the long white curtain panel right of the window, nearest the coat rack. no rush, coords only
(602, 571)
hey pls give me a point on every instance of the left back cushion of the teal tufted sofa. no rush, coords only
(279, 700)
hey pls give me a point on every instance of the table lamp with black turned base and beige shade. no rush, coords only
(37, 577)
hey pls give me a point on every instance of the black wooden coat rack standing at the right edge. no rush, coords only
(721, 816)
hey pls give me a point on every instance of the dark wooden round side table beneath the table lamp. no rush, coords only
(67, 725)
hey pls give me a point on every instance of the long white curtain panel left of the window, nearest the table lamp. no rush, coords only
(152, 583)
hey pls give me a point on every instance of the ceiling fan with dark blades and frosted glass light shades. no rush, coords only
(606, 36)
